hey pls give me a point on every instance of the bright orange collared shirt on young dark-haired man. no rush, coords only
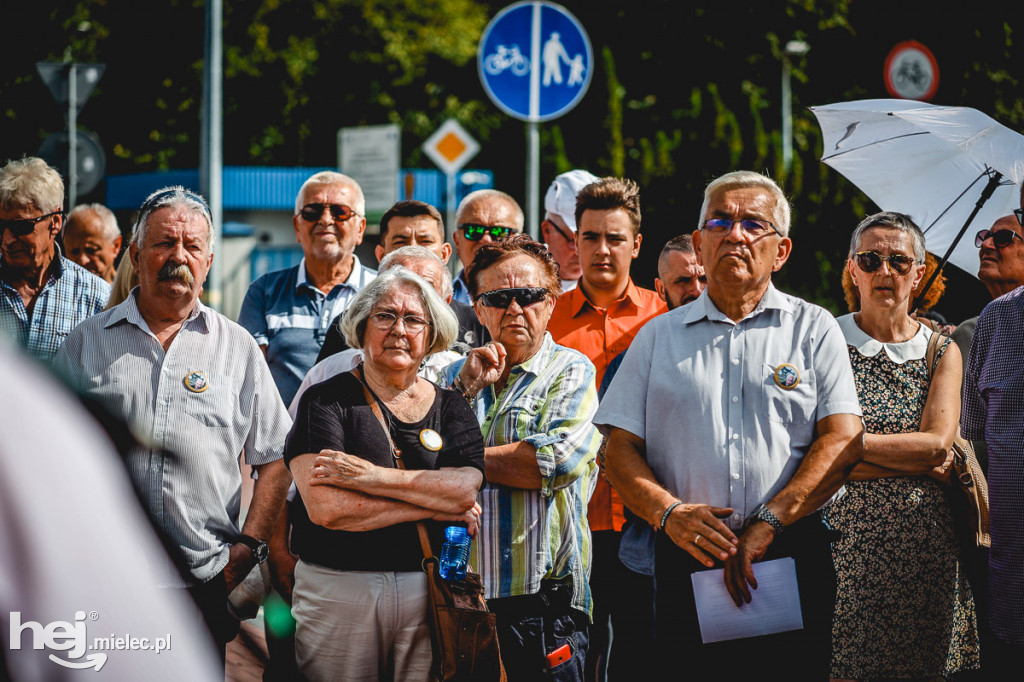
(602, 335)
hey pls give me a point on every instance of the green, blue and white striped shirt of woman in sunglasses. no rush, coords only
(530, 536)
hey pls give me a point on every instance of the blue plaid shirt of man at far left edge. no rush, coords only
(70, 295)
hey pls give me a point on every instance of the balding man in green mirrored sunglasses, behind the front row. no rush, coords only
(485, 216)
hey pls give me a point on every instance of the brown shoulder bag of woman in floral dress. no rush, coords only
(968, 477)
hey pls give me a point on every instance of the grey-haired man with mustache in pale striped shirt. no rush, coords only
(197, 391)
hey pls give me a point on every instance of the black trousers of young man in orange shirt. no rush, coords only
(626, 601)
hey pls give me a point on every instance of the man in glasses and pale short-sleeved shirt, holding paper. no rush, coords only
(732, 421)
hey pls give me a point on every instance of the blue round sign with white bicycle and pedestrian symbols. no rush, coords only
(535, 61)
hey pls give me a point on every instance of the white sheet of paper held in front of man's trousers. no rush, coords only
(775, 606)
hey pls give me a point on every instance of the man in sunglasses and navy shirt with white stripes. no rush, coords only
(289, 312)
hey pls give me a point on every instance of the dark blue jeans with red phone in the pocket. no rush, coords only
(531, 627)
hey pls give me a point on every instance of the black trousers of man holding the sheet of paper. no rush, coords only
(804, 655)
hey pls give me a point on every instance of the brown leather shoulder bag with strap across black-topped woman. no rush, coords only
(463, 632)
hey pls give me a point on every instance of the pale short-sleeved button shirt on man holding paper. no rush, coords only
(729, 410)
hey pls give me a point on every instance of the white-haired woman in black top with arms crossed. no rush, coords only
(361, 596)
